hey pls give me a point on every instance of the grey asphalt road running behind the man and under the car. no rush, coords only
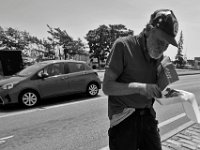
(76, 122)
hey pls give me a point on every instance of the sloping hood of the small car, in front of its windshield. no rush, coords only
(10, 79)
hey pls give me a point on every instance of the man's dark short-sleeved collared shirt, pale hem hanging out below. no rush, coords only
(129, 59)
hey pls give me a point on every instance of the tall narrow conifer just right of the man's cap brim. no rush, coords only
(179, 59)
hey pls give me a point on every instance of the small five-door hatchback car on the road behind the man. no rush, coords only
(49, 79)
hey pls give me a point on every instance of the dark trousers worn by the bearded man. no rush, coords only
(139, 131)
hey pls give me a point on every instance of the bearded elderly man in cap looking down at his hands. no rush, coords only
(130, 83)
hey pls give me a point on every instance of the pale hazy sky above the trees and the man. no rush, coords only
(77, 17)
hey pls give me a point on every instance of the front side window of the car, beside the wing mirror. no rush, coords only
(55, 69)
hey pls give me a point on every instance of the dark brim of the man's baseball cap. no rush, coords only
(162, 35)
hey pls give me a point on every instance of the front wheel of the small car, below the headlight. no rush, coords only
(29, 98)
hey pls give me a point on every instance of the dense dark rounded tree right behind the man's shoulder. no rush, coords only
(100, 40)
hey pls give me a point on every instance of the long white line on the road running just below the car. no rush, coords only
(49, 107)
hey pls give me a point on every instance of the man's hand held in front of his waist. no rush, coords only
(150, 90)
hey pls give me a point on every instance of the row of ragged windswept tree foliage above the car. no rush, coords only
(14, 39)
